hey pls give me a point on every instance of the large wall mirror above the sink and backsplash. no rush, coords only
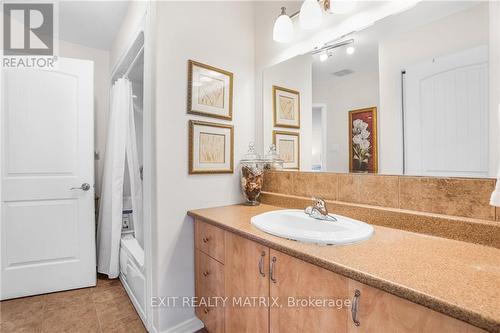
(411, 94)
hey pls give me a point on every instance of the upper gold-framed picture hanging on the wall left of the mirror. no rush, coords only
(210, 91)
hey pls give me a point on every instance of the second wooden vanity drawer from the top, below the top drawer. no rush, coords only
(209, 275)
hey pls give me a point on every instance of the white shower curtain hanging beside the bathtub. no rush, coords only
(121, 148)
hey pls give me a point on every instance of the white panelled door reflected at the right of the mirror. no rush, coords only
(446, 115)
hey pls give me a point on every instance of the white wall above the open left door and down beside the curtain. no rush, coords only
(101, 96)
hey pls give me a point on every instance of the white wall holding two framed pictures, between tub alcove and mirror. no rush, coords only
(220, 34)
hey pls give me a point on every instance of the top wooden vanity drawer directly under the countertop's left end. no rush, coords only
(210, 240)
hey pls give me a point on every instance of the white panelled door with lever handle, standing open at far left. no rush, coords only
(47, 228)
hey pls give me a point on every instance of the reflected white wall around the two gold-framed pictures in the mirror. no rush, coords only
(293, 74)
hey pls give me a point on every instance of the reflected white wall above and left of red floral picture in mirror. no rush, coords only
(341, 95)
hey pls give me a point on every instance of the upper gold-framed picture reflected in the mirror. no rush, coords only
(286, 107)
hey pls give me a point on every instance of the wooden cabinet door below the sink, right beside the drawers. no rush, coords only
(246, 284)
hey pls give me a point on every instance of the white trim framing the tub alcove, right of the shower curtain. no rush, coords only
(147, 27)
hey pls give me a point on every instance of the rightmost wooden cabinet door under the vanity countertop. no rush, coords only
(379, 311)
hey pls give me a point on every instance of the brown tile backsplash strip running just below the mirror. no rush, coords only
(464, 197)
